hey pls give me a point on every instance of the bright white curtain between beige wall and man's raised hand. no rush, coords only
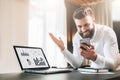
(48, 16)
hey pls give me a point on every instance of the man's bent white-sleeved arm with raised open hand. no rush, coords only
(73, 59)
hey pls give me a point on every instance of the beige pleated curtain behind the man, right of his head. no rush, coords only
(103, 13)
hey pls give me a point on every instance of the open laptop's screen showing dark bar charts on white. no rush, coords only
(31, 57)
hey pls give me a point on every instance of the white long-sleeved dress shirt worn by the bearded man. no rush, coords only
(106, 47)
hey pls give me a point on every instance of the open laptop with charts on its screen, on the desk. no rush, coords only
(33, 59)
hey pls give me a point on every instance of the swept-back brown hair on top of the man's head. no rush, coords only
(82, 12)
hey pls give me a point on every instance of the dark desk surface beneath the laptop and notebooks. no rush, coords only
(75, 75)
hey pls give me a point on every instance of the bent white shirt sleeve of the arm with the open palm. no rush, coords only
(74, 59)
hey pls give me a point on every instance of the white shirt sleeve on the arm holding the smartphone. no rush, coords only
(110, 50)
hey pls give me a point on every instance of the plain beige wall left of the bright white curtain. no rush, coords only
(13, 31)
